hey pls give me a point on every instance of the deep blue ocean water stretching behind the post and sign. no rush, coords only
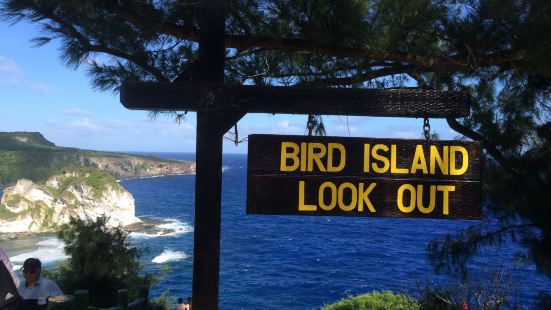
(290, 262)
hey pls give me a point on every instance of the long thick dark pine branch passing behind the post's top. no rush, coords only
(428, 63)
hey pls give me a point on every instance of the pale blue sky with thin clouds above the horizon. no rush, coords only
(39, 93)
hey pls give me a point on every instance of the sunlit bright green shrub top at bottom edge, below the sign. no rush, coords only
(376, 301)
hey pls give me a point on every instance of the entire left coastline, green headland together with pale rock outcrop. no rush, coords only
(47, 185)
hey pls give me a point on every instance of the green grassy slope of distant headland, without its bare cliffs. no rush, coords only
(29, 155)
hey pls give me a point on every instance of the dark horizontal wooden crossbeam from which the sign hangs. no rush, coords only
(405, 102)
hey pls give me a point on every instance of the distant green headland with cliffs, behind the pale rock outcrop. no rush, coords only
(31, 156)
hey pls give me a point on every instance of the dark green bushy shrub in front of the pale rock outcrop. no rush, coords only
(101, 259)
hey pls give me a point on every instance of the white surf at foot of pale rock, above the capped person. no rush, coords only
(49, 250)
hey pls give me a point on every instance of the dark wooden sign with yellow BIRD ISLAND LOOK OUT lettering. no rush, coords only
(304, 175)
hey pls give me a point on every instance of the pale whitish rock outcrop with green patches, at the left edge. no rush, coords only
(86, 193)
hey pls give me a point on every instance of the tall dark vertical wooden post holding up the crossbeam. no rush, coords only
(208, 180)
